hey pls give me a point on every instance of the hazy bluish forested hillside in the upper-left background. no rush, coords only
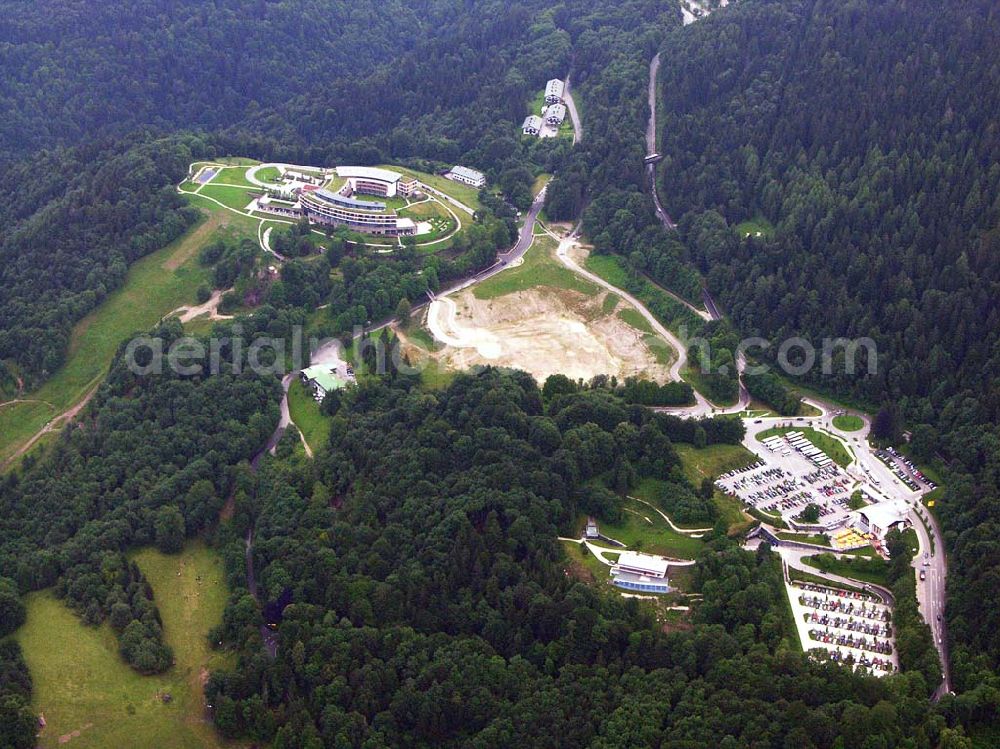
(74, 69)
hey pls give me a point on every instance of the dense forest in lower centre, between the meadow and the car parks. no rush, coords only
(422, 597)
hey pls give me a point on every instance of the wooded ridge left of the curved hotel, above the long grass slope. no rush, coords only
(74, 221)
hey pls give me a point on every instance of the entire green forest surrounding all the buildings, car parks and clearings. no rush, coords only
(410, 590)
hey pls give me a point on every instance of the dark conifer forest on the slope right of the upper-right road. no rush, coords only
(877, 163)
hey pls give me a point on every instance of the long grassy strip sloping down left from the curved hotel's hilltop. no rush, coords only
(154, 285)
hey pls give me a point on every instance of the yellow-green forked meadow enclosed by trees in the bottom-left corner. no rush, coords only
(82, 684)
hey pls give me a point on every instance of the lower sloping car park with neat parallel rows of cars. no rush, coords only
(852, 628)
